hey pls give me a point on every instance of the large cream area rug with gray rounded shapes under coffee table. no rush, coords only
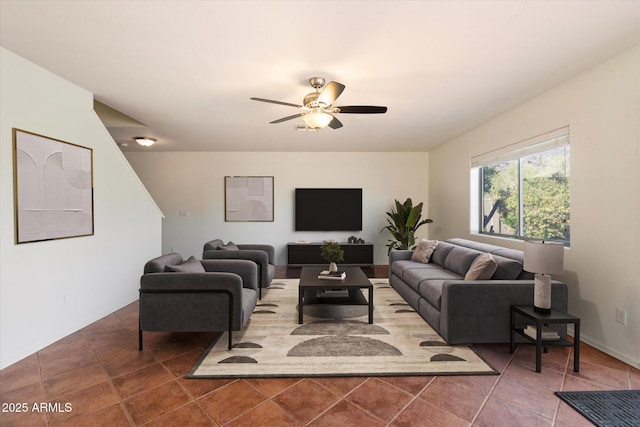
(335, 341)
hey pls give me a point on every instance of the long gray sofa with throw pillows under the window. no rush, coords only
(467, 311)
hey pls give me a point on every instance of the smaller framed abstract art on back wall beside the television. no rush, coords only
(248, 198)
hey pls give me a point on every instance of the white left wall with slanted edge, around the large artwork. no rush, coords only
(53, 288)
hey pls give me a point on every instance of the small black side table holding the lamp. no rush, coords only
(543, 319)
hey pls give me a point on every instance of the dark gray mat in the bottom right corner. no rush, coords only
(615, 408)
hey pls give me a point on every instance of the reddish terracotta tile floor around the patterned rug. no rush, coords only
(99, 372)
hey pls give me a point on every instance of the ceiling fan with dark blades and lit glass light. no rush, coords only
(317, 107)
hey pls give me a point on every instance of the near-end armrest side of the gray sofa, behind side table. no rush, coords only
(478, 311)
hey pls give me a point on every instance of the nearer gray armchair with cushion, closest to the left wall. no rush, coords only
(193, 295)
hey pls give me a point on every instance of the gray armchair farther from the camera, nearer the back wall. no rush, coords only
(263, 255)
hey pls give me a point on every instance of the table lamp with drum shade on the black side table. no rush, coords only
(543, 258)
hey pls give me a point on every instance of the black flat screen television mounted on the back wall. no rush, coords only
(328, 209)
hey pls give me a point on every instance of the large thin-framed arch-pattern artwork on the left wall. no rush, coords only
(53, 188)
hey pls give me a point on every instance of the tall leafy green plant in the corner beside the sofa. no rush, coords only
(403, 222)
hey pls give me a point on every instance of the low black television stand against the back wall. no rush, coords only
(308, 254)
